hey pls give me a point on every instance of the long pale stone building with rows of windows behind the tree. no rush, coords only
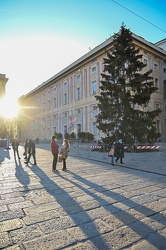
(66, 102)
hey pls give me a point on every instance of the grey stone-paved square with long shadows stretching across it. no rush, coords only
(92, 205)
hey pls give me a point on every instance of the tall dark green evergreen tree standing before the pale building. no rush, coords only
(125, 93)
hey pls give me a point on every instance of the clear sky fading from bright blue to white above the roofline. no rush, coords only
(40, 38)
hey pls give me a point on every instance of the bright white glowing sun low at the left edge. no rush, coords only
(8, 108)
